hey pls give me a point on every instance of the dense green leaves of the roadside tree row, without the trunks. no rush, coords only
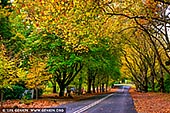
(103, 59)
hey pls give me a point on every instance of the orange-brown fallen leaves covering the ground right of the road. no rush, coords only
(151, 102)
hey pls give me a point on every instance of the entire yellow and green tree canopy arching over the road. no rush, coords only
(96, 38)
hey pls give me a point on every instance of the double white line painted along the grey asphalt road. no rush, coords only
(92, 104)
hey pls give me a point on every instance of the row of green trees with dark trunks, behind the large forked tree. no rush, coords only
(102, 65)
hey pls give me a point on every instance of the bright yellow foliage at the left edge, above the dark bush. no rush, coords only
(9, 72)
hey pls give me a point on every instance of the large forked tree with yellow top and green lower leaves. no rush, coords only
(69, 28)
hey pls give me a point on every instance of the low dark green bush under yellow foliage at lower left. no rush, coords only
(15, 92)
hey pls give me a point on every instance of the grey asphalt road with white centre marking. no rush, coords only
(118, 102)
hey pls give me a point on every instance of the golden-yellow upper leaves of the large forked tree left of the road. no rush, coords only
(70, 20)
